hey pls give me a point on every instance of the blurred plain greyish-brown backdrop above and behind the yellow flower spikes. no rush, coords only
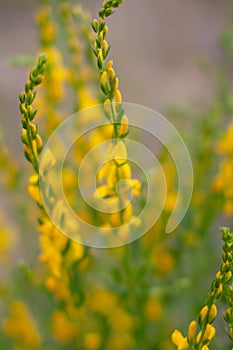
(165, 52)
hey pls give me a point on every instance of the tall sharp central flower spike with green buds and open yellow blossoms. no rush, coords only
(116, 166)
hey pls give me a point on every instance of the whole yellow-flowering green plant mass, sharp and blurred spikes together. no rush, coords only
(78, 295)
